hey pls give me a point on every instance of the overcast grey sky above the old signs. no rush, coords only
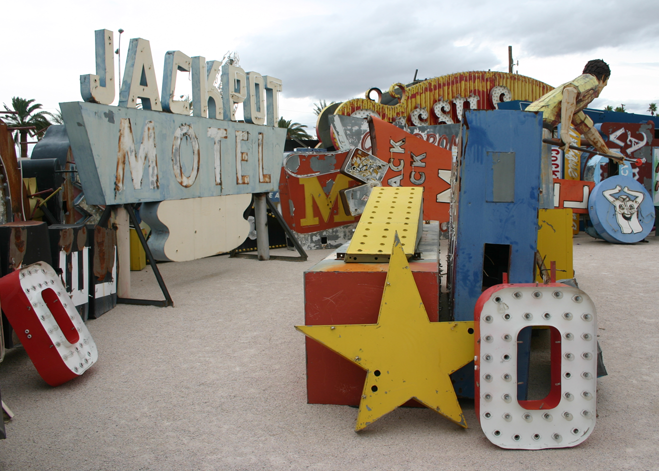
(337, 50)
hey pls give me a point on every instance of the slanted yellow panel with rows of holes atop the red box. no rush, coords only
(388, 210)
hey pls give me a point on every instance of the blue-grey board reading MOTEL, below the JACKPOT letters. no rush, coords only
(95, 134)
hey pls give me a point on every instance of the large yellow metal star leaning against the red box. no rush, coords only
(405, 355)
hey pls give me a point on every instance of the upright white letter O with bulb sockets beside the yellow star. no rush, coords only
(566, 416)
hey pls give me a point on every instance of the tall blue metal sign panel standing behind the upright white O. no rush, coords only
(494, 216)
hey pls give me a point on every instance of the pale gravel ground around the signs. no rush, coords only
(218, 382)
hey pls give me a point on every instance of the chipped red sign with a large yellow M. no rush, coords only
(309, 191)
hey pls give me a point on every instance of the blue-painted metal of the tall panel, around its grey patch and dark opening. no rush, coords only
(478, 222)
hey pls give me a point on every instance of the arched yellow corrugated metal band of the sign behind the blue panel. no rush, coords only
(442, 99)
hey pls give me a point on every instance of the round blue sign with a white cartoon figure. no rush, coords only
(621, 210)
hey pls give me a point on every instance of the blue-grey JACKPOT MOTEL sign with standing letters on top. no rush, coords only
(210, 153)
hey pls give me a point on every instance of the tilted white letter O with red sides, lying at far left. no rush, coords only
(47, 323)
